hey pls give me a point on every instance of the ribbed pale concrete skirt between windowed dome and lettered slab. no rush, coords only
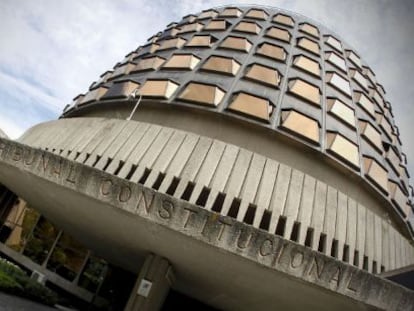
(271, 186)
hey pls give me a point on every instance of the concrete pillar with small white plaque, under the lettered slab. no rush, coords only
(152, 286)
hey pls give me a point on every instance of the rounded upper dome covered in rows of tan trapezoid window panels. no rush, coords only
(263, 68)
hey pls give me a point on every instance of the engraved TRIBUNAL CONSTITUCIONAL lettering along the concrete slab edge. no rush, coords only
(272, 248)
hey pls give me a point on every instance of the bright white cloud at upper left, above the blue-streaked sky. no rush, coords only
(65, 52)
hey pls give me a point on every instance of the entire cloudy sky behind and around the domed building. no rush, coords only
(51, 51)
